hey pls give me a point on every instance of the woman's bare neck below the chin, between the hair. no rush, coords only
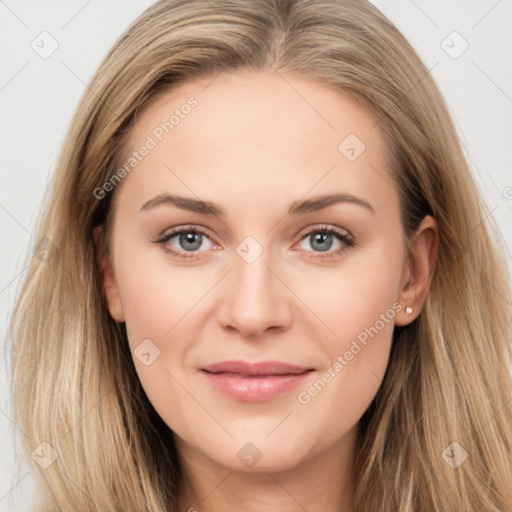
(320, 482)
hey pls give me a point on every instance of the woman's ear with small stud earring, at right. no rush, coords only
(418, 271)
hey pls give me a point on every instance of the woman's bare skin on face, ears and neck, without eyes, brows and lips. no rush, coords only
(255, 143)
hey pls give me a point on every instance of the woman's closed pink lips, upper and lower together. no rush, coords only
(254, 382)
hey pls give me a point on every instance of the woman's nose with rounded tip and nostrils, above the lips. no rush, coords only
(255, 299)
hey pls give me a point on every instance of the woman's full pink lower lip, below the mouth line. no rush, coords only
(254, 389)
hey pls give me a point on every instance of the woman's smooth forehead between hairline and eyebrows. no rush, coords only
(258, 132)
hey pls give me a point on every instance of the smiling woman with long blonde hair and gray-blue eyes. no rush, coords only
(337, 336)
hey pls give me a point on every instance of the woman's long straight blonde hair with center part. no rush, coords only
(448, 380)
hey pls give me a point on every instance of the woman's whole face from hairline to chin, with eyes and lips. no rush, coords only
(259, 278)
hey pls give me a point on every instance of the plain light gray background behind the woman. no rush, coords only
(38, 97)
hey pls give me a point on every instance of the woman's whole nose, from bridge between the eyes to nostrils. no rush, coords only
(255, 300)
